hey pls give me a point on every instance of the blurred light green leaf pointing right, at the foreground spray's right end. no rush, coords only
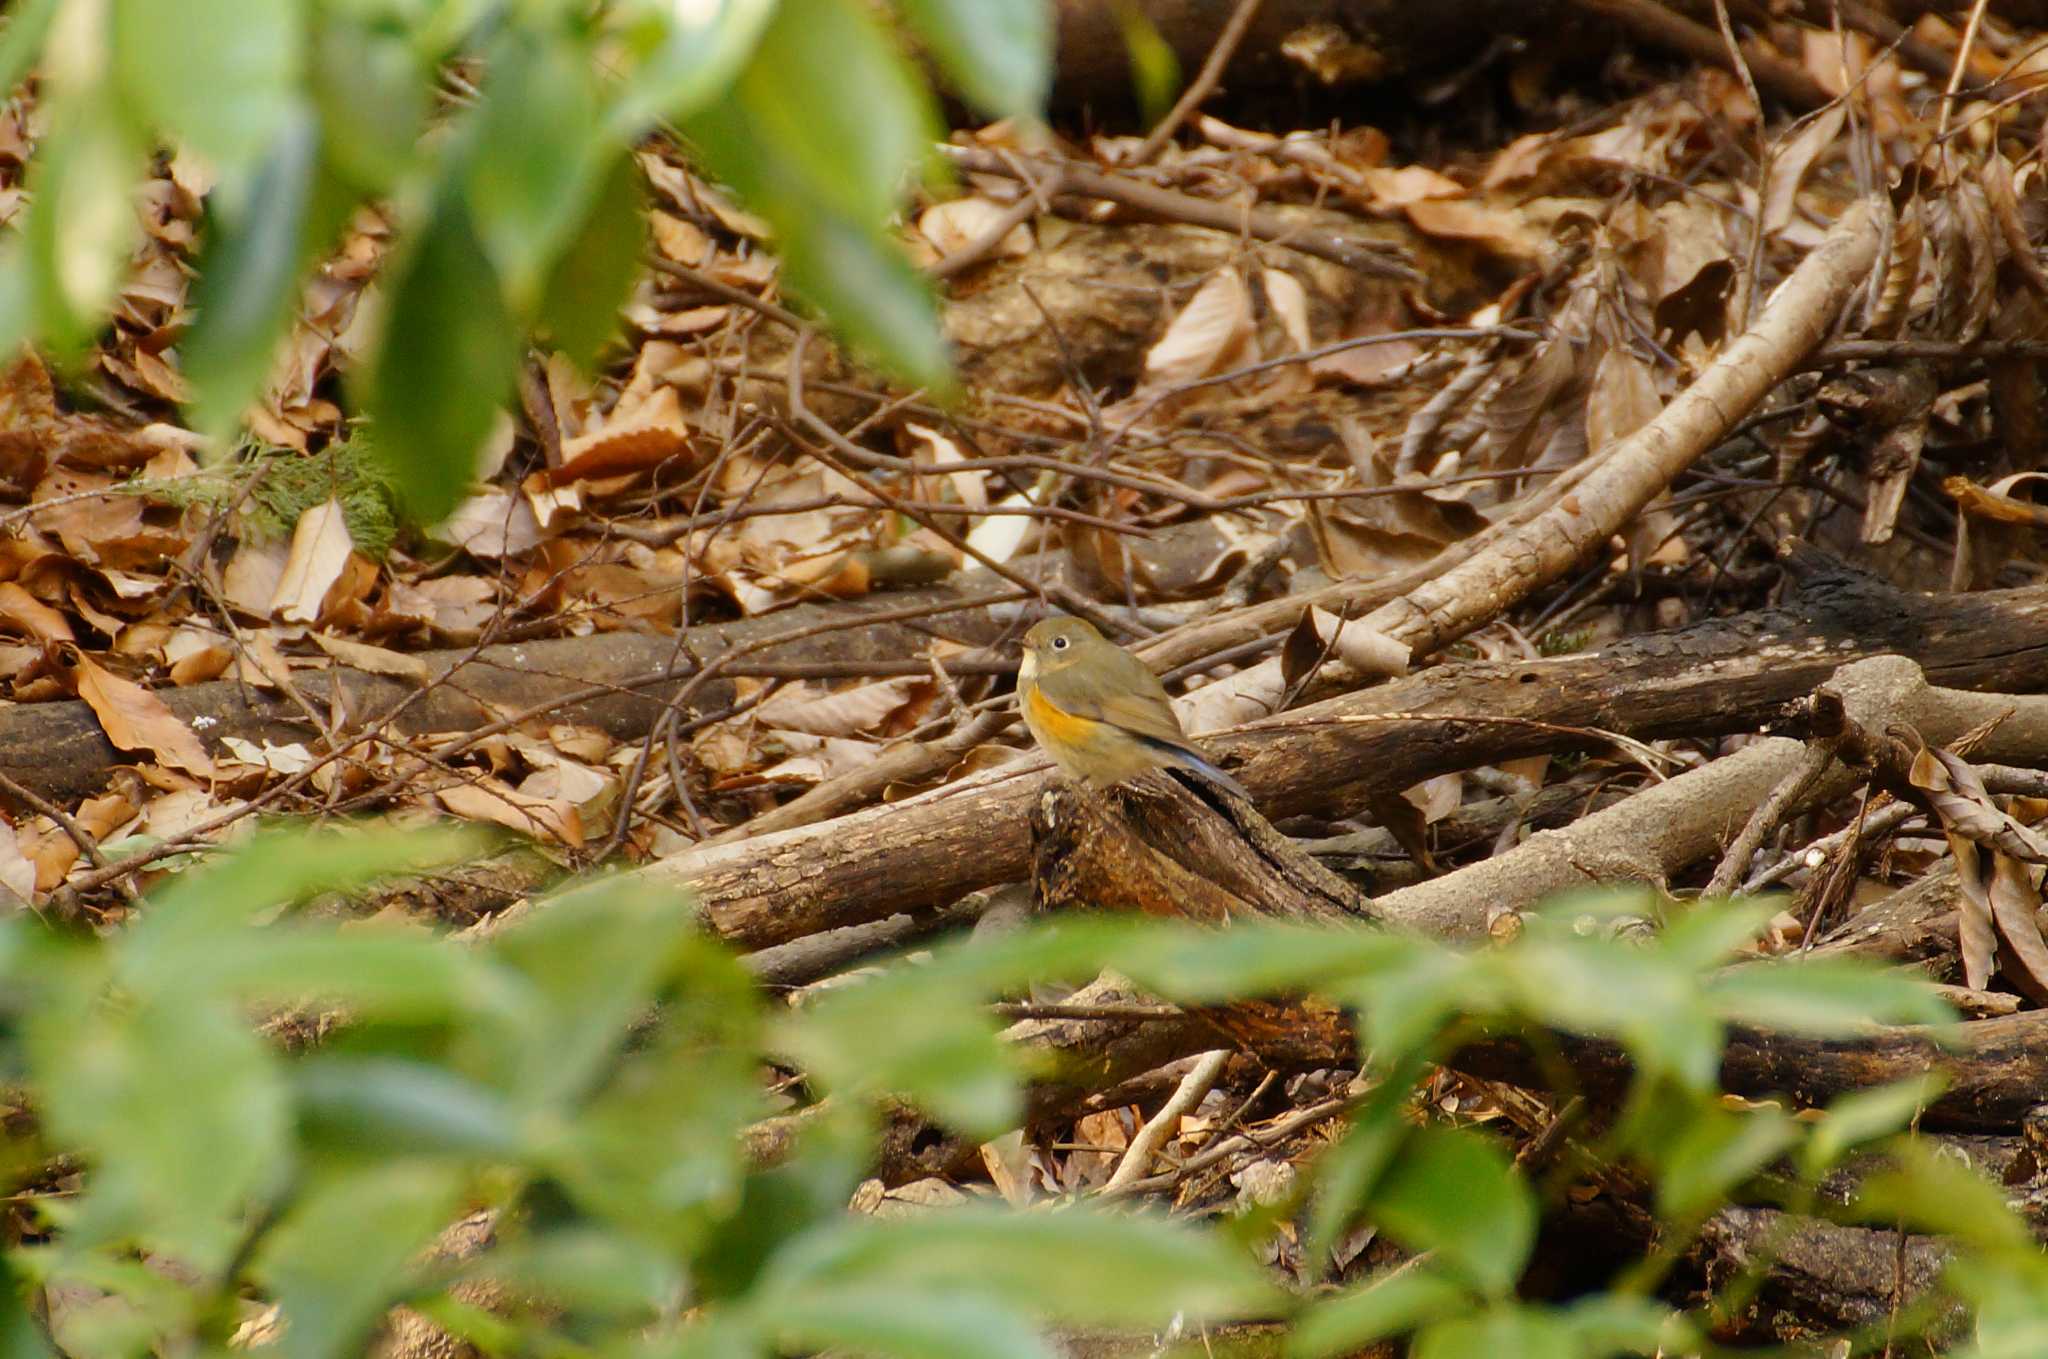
(1826, 998)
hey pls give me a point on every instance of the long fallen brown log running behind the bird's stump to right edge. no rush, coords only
(1713, 678)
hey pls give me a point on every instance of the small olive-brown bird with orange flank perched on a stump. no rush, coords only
(1099, 713)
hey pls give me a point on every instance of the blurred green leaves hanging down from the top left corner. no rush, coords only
(517, 200)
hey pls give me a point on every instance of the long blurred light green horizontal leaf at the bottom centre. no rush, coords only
(1076, 1266)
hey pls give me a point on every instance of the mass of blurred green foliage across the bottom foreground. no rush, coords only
(591, 1073)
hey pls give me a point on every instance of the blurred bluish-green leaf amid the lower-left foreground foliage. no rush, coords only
(394, 1108)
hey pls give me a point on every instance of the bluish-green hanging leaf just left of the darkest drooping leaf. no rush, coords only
(249, 281)
